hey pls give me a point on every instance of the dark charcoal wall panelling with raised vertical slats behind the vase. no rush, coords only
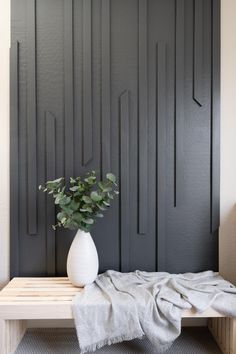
(128, 86)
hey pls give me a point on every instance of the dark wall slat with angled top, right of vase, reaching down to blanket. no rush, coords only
(124, 178)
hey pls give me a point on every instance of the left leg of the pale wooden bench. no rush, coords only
(11, 333)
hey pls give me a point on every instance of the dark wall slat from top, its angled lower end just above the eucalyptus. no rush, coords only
(87, 152)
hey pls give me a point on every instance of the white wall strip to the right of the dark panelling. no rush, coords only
(228, 141)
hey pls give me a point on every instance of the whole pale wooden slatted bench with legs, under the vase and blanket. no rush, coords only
(51, 298)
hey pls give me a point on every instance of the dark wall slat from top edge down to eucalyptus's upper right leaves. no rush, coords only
(105, 87)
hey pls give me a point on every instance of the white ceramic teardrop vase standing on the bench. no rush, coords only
(82, 260)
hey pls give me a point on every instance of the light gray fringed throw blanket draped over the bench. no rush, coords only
(124, 306)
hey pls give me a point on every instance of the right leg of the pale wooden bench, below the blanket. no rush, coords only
(223, 330)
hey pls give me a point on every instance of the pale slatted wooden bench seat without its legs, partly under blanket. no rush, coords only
(49, 297)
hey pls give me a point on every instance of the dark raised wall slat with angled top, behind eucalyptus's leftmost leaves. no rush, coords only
(50, 133)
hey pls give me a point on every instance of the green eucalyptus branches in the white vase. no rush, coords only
(84, 200)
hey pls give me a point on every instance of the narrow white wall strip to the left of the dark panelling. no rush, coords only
(4, 139)
